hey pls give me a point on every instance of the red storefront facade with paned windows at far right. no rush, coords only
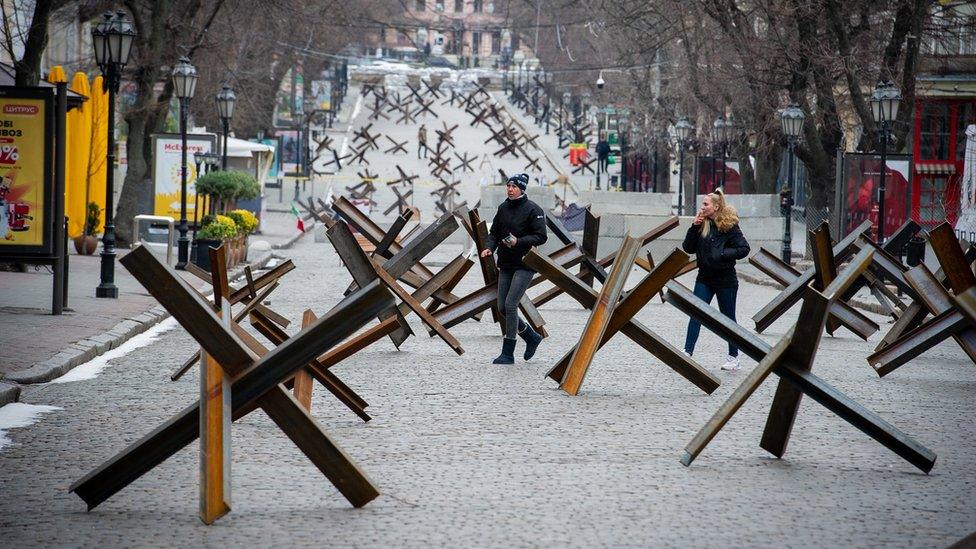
(938, 148)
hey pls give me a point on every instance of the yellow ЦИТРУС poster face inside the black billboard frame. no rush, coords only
(23, 173)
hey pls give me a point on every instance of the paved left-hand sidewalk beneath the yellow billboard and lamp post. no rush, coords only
(36, 347)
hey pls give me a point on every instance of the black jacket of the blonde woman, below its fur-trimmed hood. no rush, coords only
(716, 254)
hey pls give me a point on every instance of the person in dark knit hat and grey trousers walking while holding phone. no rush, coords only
(519, 225)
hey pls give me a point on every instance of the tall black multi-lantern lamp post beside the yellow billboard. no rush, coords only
(112, 41)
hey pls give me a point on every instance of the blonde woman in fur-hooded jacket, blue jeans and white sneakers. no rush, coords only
(717, 242)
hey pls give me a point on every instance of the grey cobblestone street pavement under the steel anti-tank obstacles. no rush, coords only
(470, 454)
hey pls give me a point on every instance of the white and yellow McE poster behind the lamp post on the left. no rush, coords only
(167, 163)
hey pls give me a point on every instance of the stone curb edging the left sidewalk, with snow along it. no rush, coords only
(80, 352)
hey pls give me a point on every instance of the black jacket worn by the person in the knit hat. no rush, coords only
(523, 219)
